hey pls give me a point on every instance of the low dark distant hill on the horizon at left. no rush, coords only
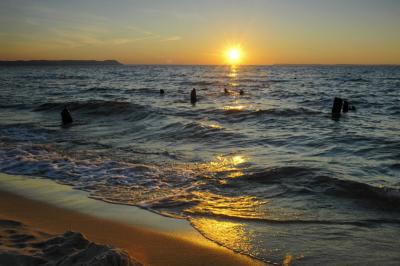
(59, 63)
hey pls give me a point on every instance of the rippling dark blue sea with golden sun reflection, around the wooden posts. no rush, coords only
(268, 173)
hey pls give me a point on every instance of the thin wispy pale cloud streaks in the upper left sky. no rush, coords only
(55, 28)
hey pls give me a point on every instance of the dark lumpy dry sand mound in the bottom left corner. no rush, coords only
(22, 245)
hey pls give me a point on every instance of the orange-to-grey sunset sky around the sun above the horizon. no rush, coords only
(200, 32)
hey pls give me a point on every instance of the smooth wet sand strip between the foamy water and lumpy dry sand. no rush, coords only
(148, 237)
